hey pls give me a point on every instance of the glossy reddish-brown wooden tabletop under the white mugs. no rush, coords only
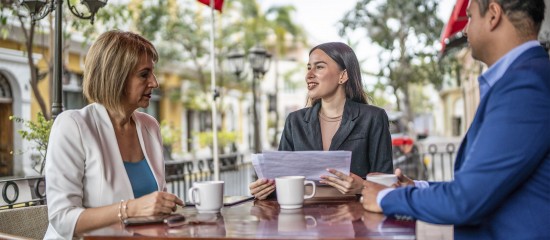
(327, 219)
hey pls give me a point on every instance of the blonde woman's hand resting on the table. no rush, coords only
(156, 203)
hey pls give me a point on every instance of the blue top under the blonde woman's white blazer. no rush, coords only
(141, 177)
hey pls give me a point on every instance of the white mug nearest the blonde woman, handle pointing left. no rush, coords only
(207, 196)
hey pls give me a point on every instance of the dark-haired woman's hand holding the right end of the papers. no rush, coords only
(351, 184)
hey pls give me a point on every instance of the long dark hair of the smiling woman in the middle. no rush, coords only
(345, 57)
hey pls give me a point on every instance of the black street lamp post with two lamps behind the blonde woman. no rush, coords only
(39, 9)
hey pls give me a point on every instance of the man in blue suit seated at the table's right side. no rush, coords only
(501, 188)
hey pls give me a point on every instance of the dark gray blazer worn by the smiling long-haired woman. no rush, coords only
(363, 131)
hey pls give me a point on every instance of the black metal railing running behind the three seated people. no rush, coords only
(437, 161)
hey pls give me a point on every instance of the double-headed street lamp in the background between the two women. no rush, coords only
(259, 60)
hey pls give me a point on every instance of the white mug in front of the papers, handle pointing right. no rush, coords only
(290, 191)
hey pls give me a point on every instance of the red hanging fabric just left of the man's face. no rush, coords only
(455, 25)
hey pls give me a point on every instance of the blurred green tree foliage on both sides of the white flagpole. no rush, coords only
(180, 30)
